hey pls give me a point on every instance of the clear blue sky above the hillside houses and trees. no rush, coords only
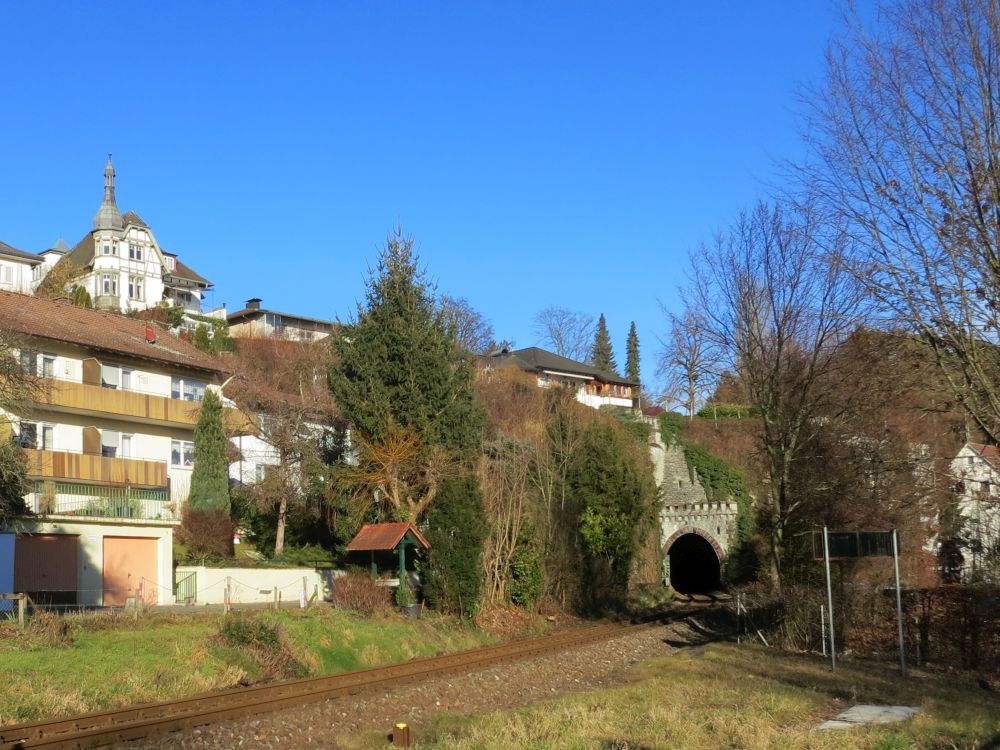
(556, 153)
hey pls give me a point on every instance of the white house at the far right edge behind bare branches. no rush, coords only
(976, 470)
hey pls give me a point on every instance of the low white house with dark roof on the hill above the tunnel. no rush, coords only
(594, 387)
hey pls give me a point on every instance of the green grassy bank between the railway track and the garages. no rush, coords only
(87, 663)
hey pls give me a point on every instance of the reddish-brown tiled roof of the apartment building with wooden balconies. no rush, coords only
(61, 321)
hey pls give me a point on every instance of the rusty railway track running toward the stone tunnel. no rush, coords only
(135, 722)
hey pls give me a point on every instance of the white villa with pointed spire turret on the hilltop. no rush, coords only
(124, 268)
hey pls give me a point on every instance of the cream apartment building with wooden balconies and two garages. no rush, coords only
(109, 443)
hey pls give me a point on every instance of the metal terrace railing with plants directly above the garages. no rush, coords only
(88, 501)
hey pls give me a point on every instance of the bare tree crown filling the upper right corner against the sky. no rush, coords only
(906, 145)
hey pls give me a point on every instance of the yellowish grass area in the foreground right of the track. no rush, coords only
(729, 697)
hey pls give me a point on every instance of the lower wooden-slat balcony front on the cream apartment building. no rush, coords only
(86, 467)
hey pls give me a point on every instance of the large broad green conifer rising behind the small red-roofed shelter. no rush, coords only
(397, 365)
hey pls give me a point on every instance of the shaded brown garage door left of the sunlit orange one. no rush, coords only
(45, 567)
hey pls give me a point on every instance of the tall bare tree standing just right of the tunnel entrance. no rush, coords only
(777, 307)
